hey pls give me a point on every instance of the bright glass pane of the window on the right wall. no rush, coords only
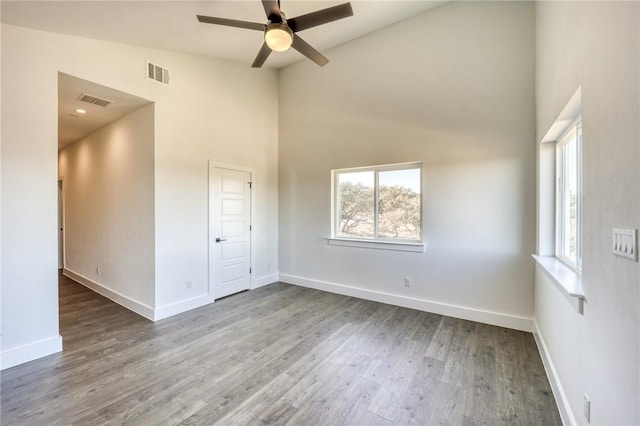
(570, 200)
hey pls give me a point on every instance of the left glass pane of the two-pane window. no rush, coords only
(355, 203)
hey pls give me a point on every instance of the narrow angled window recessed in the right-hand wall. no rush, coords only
(569, 197)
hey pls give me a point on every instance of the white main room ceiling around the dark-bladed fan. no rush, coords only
(172, 25)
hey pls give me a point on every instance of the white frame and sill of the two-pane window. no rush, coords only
(375, 242)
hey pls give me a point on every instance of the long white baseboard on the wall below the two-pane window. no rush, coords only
(463, 312)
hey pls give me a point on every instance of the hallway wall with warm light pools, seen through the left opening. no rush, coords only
(109, 211)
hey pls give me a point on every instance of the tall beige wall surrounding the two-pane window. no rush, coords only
(454, 89)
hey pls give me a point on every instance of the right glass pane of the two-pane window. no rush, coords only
(399, 204)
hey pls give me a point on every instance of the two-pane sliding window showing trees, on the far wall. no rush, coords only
(380, 203)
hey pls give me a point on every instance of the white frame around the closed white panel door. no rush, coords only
(252, 211)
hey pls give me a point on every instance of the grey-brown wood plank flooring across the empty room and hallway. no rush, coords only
(280, 354)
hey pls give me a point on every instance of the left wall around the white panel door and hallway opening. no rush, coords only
(213, 110)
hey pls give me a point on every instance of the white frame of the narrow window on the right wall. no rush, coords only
(574, 130)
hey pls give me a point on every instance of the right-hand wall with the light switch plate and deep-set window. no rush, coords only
(595, 45)
